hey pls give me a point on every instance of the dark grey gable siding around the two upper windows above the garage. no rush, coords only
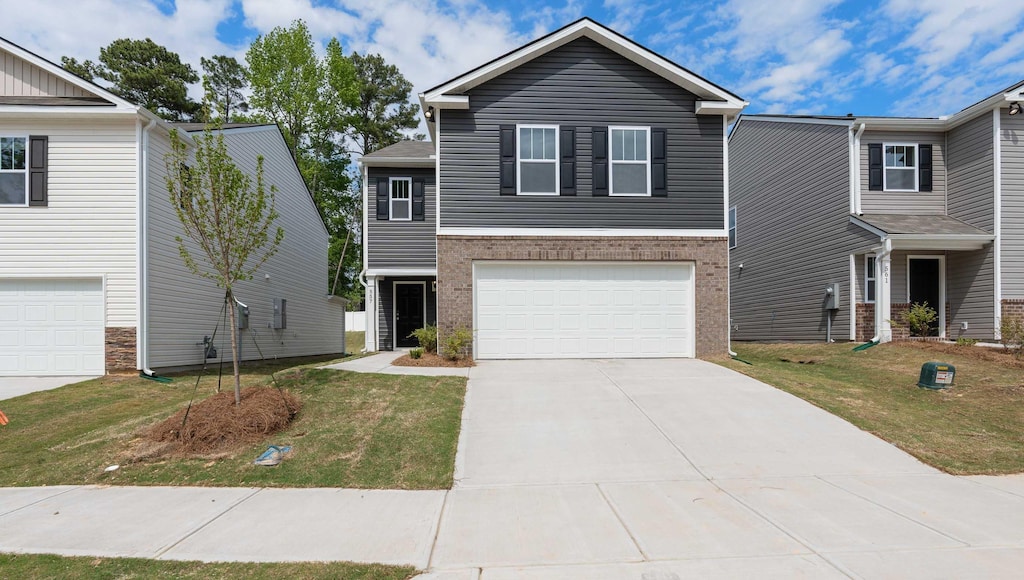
(583, 86)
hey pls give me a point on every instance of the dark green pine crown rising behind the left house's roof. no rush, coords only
(145, 73)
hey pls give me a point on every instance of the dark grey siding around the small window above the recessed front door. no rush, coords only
(403, 244)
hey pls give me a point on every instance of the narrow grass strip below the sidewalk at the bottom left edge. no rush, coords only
(44, 566)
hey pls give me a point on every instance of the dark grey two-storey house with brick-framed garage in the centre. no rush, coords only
(572, 204)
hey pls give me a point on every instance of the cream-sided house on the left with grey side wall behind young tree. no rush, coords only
(91, 276)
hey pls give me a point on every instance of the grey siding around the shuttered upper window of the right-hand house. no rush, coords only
(925, 203)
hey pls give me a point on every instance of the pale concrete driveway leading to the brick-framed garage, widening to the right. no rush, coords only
(675, 469)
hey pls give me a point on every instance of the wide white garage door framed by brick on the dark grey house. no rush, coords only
(583, 310)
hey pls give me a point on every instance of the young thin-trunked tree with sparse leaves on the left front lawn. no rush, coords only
(228, 216)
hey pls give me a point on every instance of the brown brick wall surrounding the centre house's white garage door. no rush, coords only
(457, 254)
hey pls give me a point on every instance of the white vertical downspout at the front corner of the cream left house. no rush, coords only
(143, 242)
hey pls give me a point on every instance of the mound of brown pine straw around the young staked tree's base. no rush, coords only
(217, 425)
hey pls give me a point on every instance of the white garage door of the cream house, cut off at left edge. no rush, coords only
(52, 327)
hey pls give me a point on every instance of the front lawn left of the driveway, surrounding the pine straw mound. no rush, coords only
(356, 431)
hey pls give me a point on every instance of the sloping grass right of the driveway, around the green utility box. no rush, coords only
(973, 429)
